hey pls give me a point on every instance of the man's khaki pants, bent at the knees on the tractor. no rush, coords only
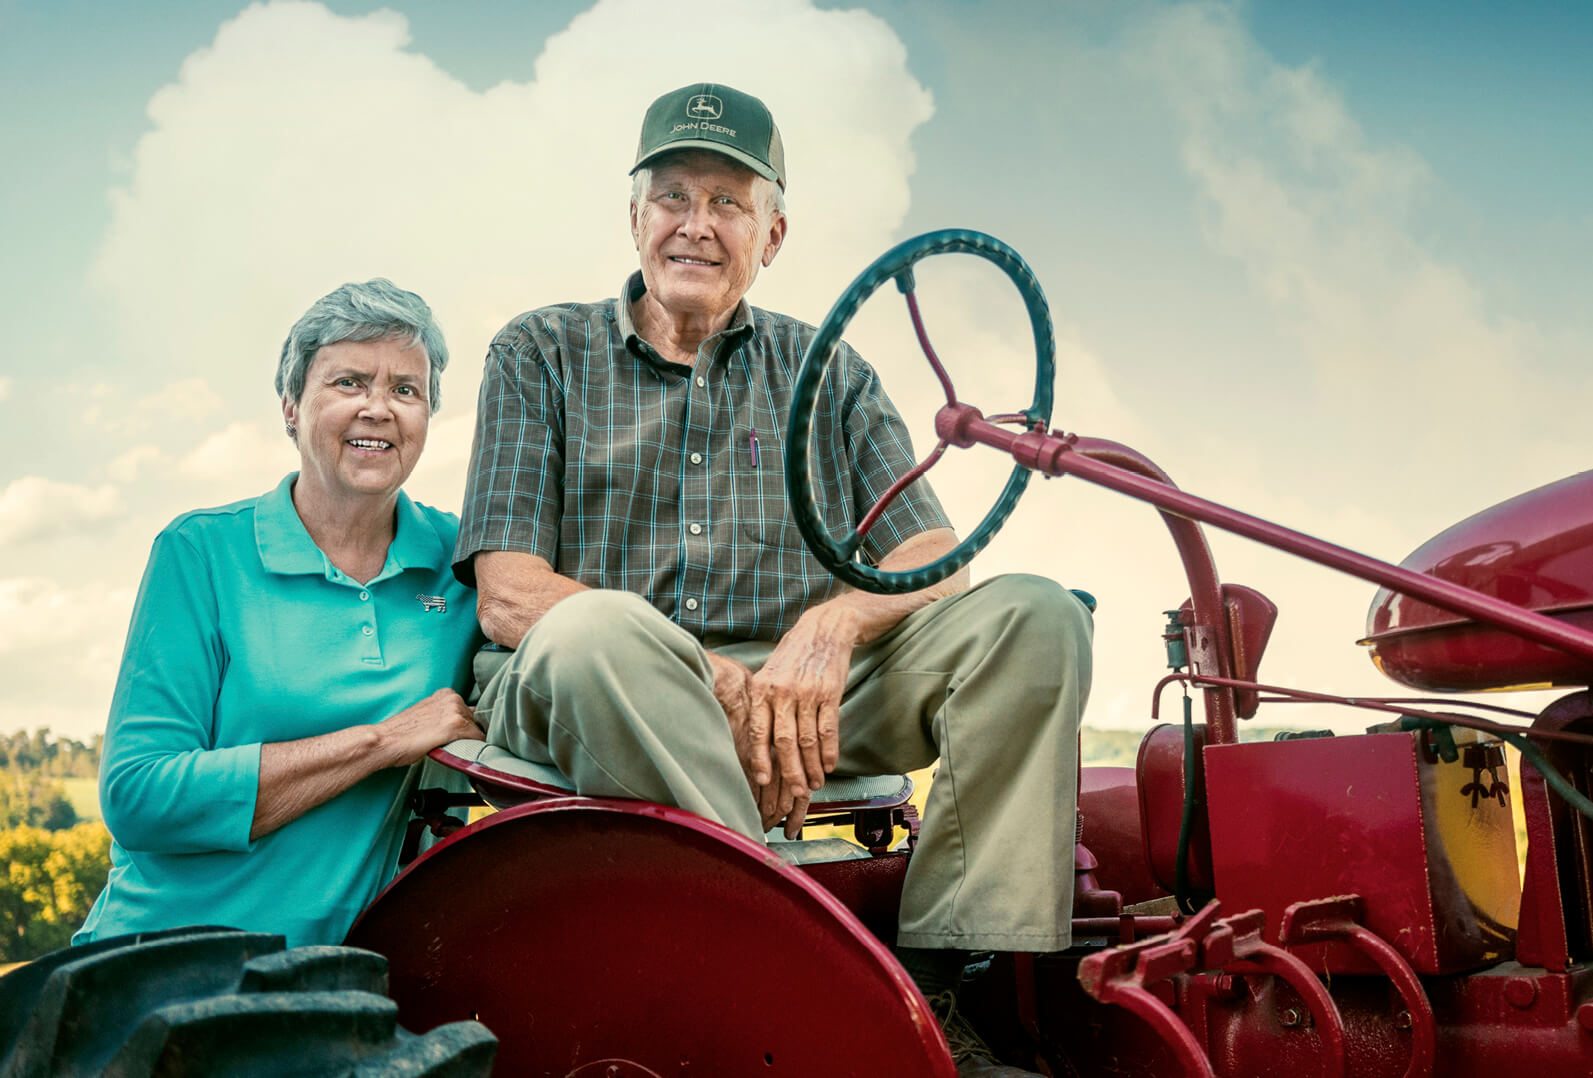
(992, 682)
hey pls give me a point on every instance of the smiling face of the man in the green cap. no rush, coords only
(703, 233)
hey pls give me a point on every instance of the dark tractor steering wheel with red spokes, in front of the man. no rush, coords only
(898, 264)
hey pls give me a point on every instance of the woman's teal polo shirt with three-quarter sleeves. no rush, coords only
(246, 635)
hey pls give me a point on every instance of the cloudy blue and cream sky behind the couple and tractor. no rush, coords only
(1323, 262)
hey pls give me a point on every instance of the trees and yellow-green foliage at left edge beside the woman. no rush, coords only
(53, 865)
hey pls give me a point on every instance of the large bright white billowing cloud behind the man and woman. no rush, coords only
(302, 149)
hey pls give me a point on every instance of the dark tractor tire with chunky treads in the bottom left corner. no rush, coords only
(195, 1002)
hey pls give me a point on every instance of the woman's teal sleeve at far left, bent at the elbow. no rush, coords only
(166, 786)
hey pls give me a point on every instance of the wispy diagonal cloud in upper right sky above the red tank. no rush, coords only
(1320, 214)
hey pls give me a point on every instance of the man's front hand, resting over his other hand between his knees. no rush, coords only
(799, 695)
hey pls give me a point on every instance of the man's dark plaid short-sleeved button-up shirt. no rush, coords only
(625, 471)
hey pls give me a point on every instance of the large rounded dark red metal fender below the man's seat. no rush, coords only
(587, 932)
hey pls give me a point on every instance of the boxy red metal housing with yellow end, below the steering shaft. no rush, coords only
(1315, 819)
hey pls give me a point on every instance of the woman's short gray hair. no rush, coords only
(372, 311)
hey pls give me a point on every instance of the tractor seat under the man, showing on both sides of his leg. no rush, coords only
(504, 779)
